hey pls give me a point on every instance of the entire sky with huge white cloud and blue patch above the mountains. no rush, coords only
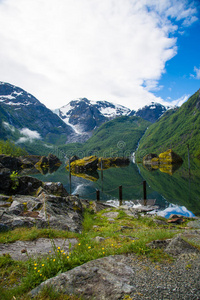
(130, 52)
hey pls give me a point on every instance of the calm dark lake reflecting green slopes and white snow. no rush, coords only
(177, 191)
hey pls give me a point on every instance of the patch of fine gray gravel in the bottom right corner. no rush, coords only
(177, 280)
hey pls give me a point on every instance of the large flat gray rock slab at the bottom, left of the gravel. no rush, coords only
(105, 278)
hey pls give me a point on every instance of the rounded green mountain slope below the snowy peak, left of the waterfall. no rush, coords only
(118, 137)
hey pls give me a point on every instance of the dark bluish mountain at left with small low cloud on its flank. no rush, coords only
(21, 111)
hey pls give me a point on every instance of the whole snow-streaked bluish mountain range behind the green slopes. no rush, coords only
(74, 122)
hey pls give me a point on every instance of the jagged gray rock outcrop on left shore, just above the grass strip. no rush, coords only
(44, 211)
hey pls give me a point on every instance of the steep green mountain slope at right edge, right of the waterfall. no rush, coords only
(175, 129)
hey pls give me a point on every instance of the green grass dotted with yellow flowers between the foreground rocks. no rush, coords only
(124, 234)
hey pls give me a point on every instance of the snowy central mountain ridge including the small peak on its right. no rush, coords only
(84, 115)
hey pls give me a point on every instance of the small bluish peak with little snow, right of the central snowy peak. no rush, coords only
(151, 112)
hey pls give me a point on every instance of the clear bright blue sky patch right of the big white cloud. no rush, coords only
(181, 79)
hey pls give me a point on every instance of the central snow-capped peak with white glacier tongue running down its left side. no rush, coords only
(84, 115)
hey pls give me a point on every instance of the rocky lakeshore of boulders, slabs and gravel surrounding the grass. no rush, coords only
(121, 276)
